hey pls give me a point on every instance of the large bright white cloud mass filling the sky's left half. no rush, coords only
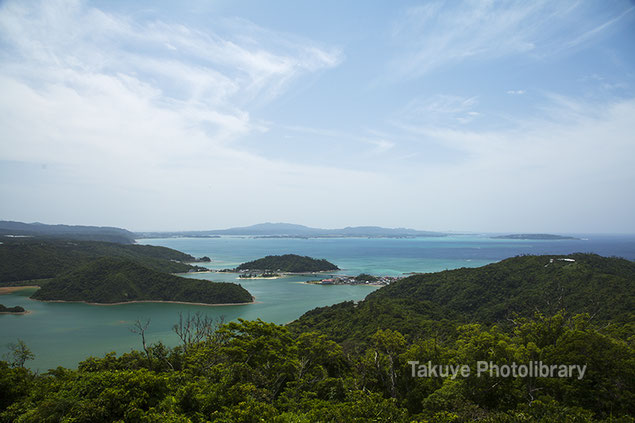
(143, 116)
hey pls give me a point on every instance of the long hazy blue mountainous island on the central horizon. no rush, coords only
(289, 230)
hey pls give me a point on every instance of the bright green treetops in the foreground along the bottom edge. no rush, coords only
(251, 371)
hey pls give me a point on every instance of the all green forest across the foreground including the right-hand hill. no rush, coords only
(353, 362)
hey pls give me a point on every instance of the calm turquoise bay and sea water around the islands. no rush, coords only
(63, 334)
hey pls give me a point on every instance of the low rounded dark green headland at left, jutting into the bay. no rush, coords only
(112, 280)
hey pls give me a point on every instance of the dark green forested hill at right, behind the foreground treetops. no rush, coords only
(578, 283)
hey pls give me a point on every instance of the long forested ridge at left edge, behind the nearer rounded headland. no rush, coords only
(27, 259)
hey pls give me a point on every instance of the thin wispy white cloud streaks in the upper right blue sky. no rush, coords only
(437, 34)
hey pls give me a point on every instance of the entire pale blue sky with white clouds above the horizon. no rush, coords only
(482, 116)
